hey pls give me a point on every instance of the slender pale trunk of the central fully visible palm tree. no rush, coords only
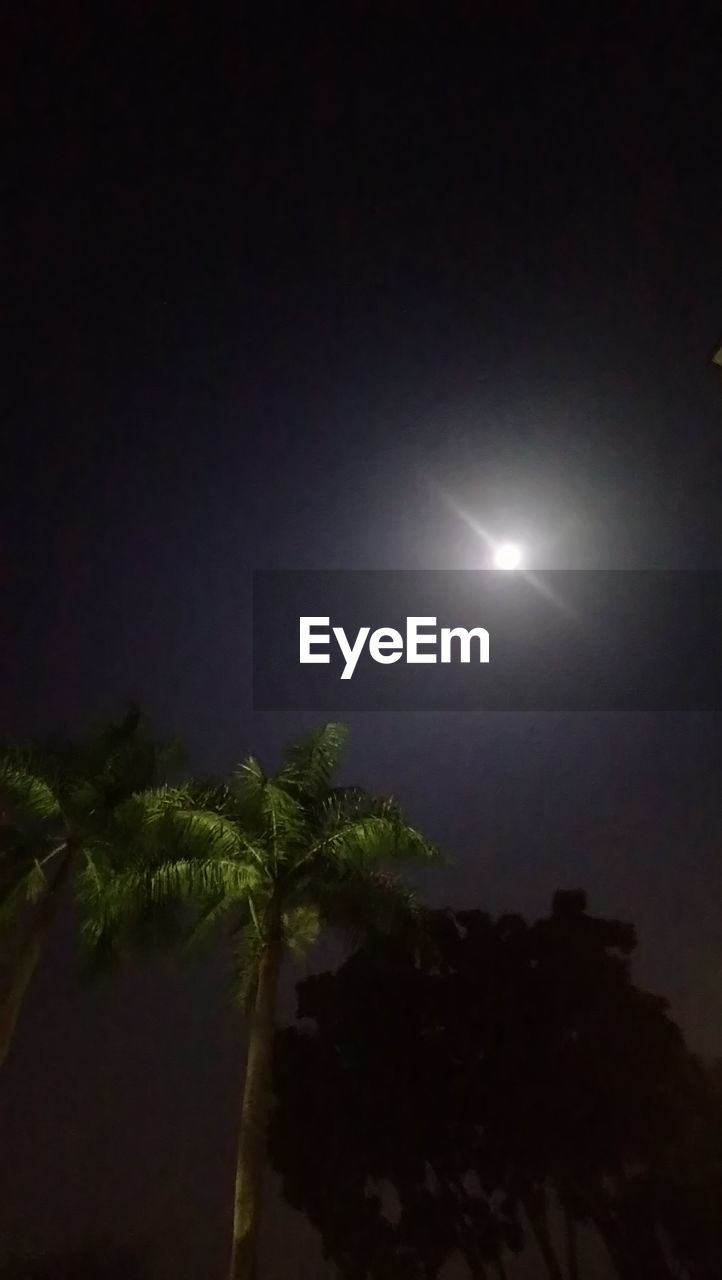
(254, 1118)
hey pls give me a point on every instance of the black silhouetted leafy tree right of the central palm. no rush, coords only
(444, 1104)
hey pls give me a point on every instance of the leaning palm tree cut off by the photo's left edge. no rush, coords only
(56, 804)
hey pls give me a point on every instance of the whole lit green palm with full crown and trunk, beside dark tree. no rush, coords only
(275, 858)
